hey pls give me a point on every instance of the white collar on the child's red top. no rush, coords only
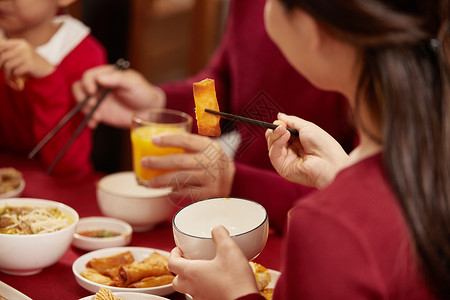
(69, 35)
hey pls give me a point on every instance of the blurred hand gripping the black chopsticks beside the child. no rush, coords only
(129, 91)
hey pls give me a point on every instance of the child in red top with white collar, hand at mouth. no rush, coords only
(49, 53)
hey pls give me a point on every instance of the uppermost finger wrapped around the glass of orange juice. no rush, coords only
(189, 142)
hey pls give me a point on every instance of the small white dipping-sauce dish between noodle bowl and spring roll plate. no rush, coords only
(101, 223)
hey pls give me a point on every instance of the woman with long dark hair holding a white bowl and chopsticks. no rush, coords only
(379, 229)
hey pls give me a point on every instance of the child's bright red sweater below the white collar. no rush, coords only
(27, 116)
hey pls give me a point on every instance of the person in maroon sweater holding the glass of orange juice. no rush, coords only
(252, 79)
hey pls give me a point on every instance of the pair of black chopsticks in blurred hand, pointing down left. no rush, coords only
(120, 64)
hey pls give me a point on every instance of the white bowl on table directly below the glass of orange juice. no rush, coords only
(119, 196)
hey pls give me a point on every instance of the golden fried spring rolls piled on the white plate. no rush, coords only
(122, 270)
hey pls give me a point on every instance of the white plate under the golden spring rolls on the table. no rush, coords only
(139, 253)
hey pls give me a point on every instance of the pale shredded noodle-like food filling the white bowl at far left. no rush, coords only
(32, 220)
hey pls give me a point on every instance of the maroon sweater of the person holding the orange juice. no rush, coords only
(254, 79)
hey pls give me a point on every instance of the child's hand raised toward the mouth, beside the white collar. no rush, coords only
(18, 58)
